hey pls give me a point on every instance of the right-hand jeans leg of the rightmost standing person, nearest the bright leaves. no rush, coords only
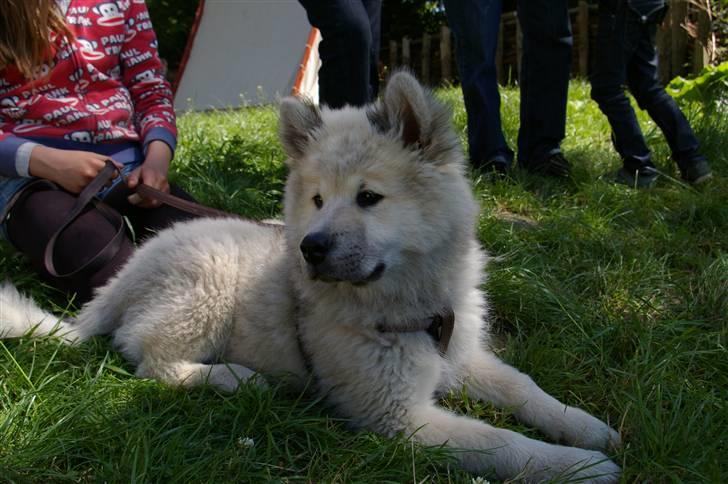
(643, 82)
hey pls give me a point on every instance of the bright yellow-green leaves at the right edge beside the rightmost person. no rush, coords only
(709, 88)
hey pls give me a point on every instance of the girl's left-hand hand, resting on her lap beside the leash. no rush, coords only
(72, 170)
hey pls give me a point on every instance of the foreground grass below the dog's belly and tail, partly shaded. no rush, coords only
(81, 415)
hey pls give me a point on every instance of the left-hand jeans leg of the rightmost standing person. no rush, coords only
(613, 52)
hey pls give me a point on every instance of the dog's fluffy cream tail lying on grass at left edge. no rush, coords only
(20, 315)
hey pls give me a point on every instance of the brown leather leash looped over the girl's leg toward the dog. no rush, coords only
(88, 197)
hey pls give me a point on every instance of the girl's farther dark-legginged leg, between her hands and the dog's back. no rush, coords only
(148, 221)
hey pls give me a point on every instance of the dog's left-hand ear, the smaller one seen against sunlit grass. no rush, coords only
(299, 118)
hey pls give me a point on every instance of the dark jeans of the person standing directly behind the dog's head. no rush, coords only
(349, 49)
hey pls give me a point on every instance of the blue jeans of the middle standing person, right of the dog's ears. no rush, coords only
(544, 82)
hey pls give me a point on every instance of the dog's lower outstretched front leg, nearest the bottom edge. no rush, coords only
(482, 448)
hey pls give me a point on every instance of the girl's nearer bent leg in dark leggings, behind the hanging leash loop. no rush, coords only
(35, 218)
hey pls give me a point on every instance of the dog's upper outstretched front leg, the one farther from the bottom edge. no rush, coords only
(489, 379)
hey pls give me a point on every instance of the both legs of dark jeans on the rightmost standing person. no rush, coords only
(626, 54)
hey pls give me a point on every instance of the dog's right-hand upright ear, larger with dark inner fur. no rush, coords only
(412, 113)
